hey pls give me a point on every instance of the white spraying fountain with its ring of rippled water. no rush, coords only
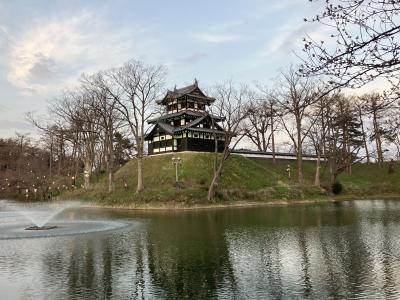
(44, 219)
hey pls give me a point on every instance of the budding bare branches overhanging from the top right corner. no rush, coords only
(363, 43)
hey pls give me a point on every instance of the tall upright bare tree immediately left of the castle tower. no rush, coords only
(135, 89)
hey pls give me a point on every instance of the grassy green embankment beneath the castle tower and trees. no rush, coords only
(244, 179)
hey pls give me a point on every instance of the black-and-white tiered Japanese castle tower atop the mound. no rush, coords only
(186, 126)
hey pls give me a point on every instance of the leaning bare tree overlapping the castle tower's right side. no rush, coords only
(230, 104)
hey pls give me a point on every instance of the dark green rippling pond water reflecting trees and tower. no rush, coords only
(326, 251)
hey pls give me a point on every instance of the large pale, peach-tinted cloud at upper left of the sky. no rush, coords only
(54, 52)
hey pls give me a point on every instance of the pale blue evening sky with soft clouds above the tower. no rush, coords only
(46, 45)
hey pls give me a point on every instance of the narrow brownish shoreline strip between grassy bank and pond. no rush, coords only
(171, 206)
